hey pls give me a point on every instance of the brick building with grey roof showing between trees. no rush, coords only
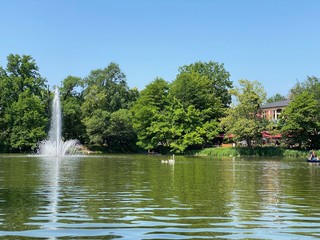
(272, 111)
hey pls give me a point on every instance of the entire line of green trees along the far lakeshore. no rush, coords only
(188, 113)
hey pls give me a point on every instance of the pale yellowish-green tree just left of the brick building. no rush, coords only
(243, 120)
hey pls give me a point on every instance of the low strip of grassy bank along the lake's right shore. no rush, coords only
(257, 151)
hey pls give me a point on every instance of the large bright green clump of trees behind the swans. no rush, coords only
(185, 114)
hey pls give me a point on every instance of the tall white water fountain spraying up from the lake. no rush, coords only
(55, 146)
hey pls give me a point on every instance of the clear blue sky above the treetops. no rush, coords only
(276, 42)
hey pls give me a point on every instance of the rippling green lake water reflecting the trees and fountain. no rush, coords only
(138, 197)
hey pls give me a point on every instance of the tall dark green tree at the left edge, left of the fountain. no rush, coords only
(23, 104)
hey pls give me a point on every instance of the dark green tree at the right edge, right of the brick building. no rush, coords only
(300, 121)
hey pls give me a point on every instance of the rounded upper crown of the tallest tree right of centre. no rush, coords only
(205, 86)
